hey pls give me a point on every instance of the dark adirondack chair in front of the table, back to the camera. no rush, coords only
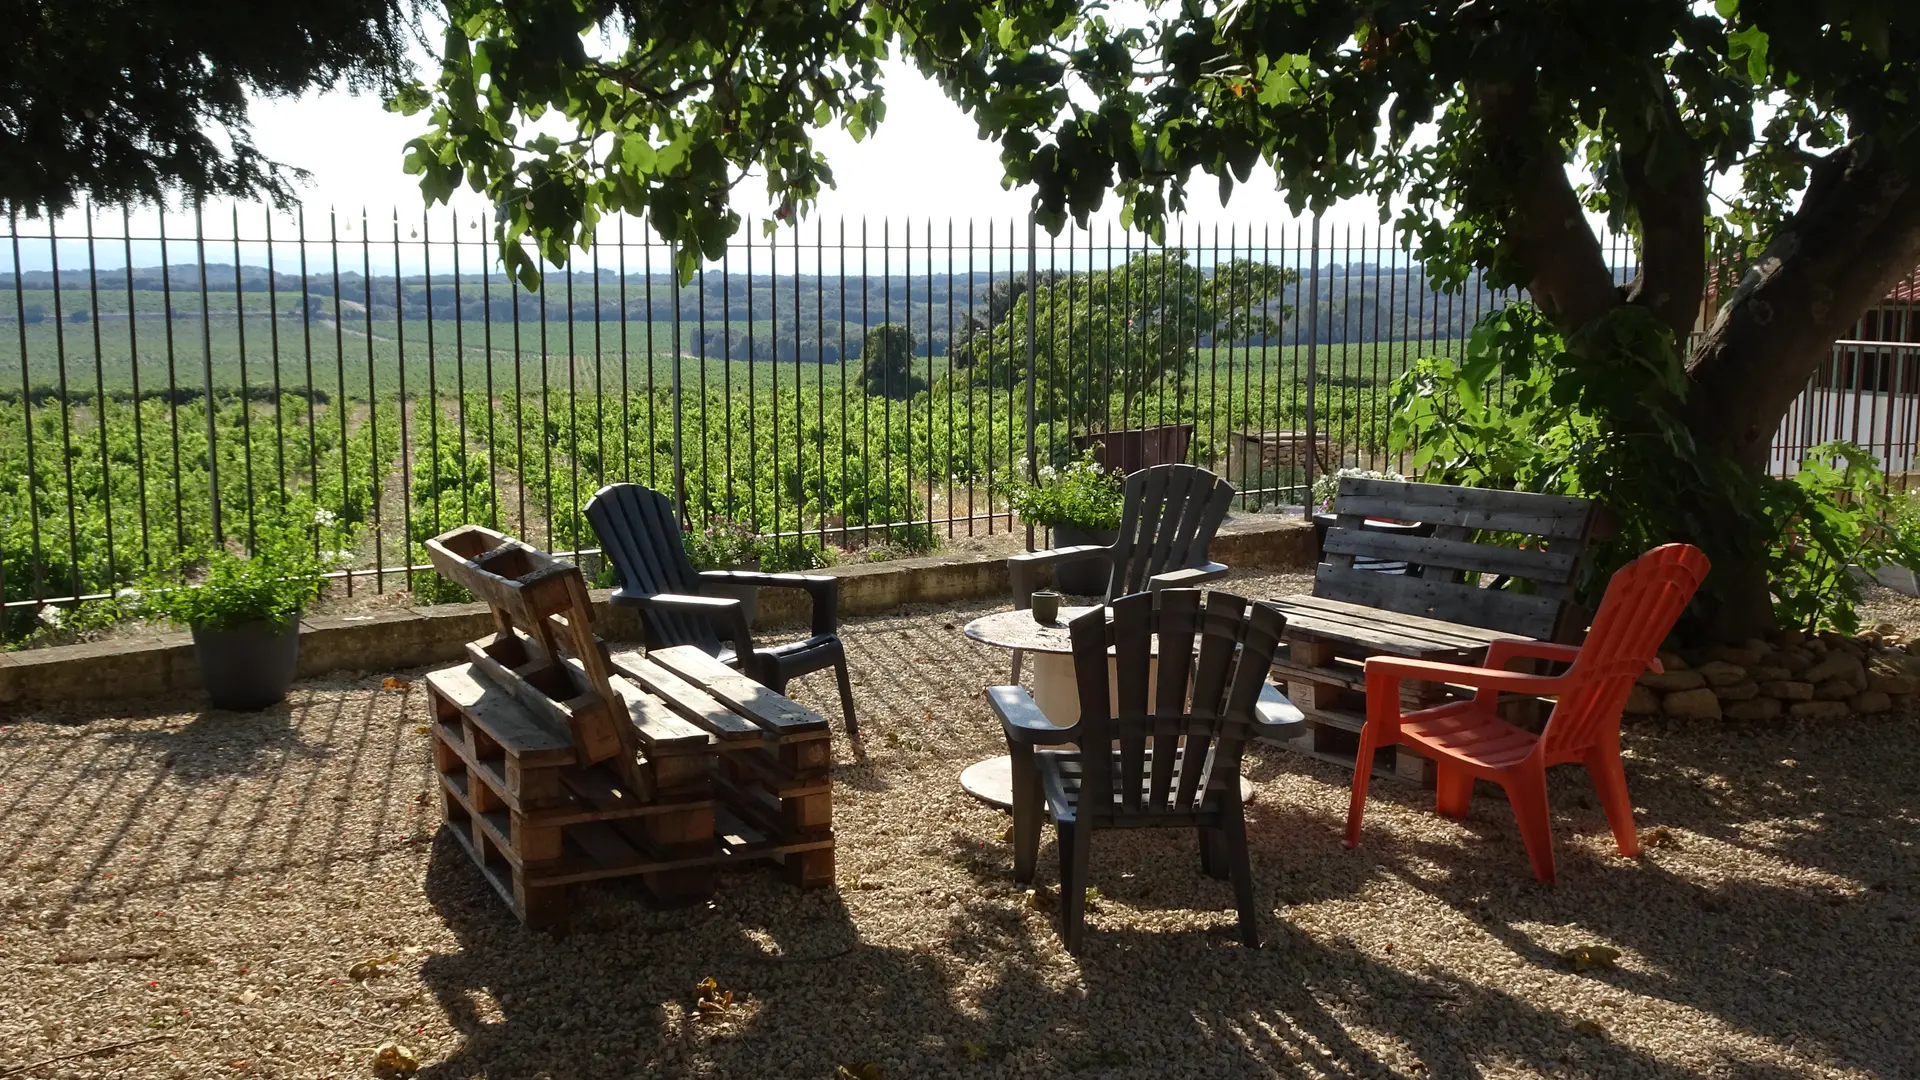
(1172, 762)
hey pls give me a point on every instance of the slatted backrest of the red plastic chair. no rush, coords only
(1644, 601)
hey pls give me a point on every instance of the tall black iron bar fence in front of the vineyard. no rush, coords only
(850, 383)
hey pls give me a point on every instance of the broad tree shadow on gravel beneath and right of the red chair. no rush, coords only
(1765, 958)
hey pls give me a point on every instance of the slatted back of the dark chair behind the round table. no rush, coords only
(1168, 520)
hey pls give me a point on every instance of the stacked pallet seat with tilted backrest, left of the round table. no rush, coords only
(560, 764)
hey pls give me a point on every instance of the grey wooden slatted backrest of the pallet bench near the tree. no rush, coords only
(1451, 572)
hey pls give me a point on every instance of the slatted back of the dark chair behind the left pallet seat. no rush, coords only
(640, 533)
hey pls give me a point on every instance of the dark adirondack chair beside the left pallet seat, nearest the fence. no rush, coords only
(640, 533)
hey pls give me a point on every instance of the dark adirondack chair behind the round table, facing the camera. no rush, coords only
(1166, 524)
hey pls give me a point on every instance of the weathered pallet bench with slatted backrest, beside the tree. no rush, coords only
(1441, 597)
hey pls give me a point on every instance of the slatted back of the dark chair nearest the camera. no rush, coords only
(1195, 722)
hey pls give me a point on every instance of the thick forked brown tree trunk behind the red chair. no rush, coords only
(1854, 237)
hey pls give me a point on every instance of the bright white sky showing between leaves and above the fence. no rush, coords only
(926, 160)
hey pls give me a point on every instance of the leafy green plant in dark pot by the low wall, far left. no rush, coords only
(245, 602)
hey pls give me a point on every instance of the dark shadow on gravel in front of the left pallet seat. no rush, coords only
(615, 994)
